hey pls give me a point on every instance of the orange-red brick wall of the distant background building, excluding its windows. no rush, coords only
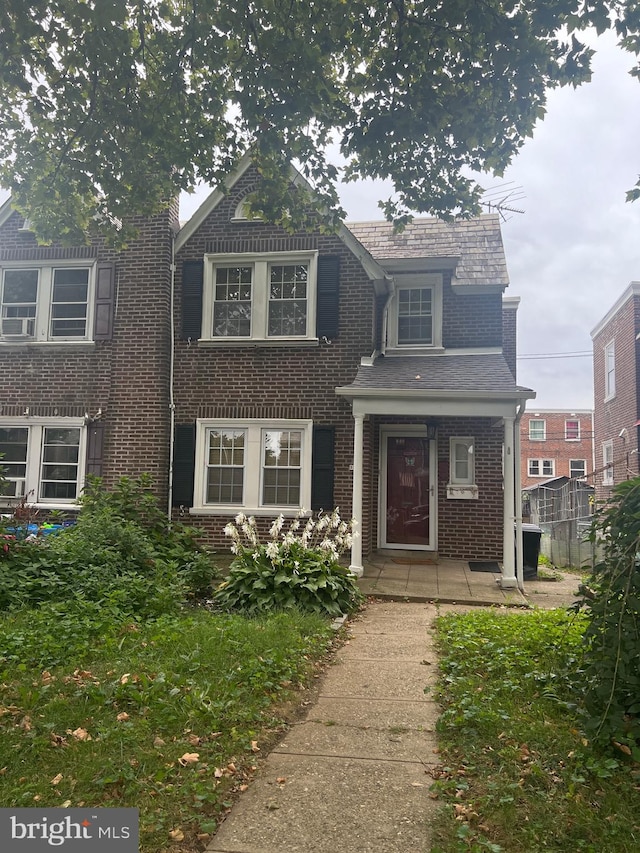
(555, 446)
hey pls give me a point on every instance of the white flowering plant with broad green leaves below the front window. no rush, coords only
(297, 567)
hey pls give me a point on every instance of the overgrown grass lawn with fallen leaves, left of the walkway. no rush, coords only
(167, 716)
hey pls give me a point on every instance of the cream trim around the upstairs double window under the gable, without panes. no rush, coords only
(259, 295)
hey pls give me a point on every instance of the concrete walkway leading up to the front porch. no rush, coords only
(354, 774)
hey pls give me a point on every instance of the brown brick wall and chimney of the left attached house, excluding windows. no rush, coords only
(127, 377)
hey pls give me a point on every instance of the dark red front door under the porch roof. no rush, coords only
(408, 492)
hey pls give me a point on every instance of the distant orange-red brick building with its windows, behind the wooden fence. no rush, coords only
(556, 443)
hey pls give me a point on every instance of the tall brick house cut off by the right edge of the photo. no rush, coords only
(616, 359)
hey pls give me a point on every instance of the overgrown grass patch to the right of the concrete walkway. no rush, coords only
(517, 774)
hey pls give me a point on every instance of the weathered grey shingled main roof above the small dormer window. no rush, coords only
(475, 244)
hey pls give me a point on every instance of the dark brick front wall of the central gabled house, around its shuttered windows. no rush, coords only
(288, 381)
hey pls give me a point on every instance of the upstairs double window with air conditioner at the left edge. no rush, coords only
(45, 303)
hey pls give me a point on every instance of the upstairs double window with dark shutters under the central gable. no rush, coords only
(262, 298)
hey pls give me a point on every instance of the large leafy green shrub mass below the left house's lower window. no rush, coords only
(122, 552)
